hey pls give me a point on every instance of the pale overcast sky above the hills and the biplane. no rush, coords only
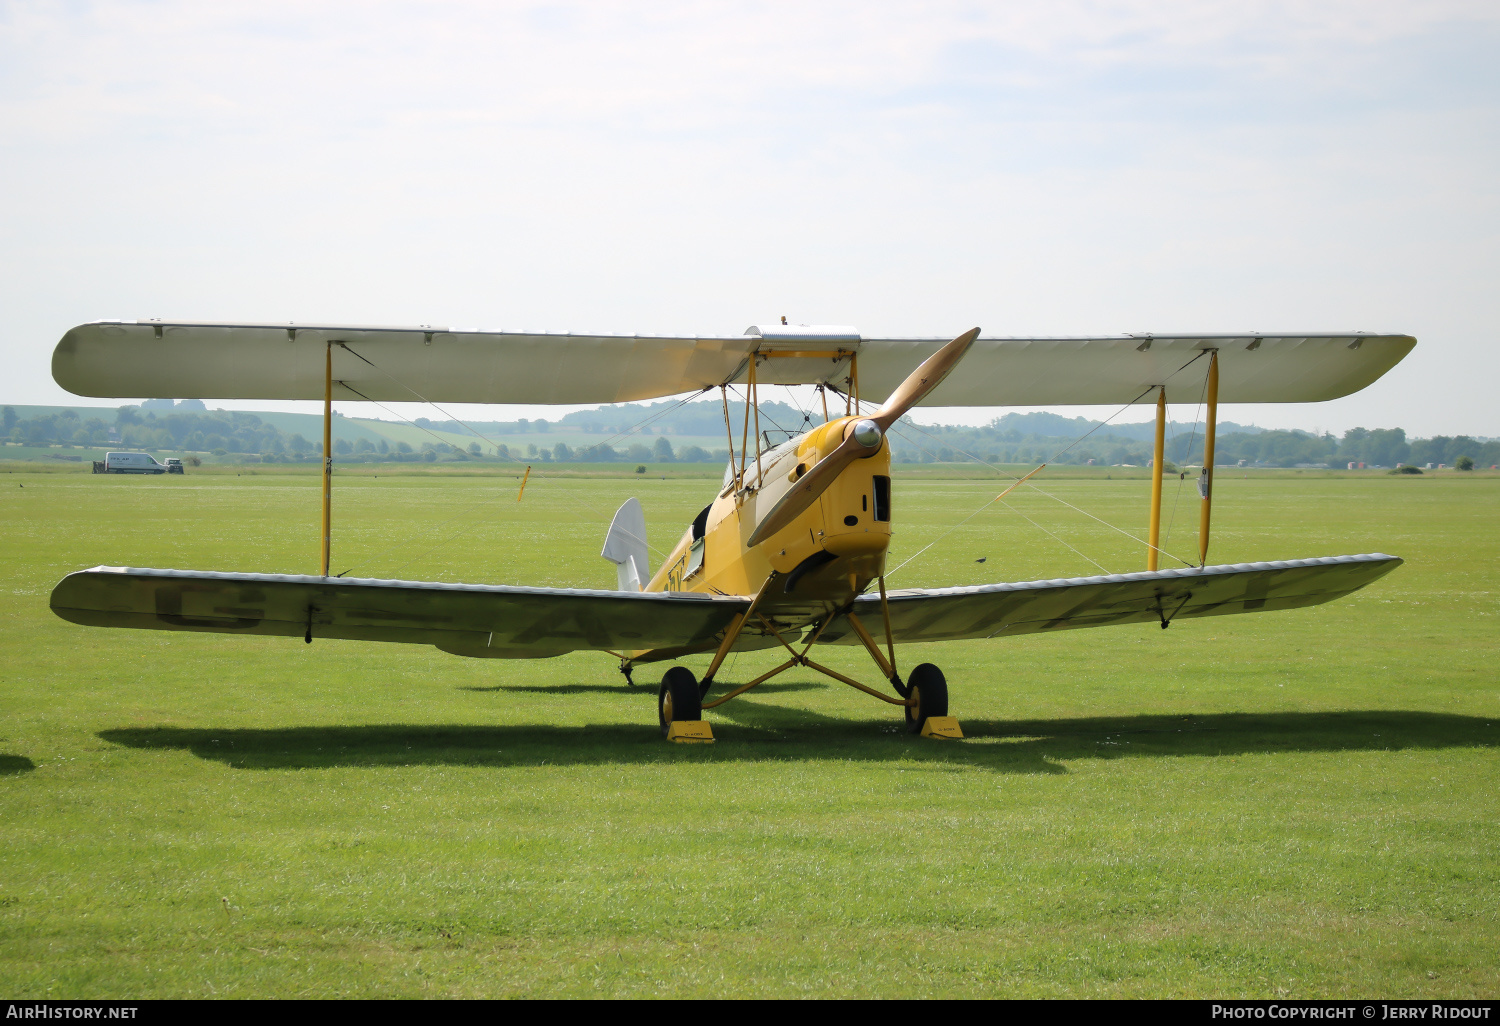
(1046, 169)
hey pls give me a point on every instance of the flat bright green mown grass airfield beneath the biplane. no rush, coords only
(1282, 805)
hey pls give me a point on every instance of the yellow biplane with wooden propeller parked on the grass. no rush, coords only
(791, 550)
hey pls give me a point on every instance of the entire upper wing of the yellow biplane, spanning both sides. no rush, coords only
(196, 361)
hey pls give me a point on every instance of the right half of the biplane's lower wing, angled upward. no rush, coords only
(1007, 610)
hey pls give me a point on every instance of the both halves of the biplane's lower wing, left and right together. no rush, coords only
(530, 623)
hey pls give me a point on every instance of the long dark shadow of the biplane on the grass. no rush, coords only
(760, 731)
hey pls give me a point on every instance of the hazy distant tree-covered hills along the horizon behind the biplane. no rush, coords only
(691, 433)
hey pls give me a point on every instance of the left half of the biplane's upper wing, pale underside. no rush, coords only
(398, 365)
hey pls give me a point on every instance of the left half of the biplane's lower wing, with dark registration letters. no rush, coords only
(469, 620)
